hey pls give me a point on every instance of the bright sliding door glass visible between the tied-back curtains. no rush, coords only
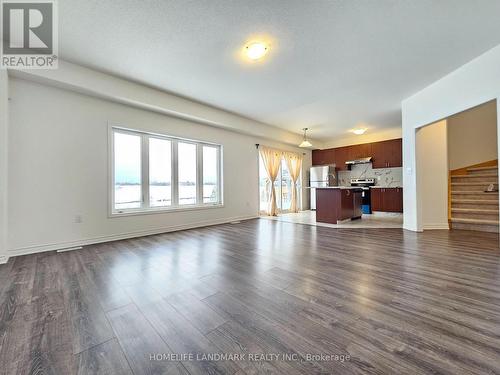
(283, 186)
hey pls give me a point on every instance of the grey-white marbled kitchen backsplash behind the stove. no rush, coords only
(385, 177)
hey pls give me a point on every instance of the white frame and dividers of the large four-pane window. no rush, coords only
(145, 203)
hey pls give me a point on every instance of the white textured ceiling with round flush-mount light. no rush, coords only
(333, 65)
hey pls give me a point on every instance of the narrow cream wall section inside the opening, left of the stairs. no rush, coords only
(432, 157)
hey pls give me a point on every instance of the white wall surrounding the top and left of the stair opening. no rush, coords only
(470, 85)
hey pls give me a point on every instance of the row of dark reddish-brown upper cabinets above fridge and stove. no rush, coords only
(385, 154)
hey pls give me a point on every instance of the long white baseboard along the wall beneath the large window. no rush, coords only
(121, 236)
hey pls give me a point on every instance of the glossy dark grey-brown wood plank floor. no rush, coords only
(279, 295)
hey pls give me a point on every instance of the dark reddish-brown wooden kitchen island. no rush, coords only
(338, 203)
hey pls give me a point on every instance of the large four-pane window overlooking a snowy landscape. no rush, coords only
(152, 172)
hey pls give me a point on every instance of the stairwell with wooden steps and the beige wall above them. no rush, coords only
(473, 169)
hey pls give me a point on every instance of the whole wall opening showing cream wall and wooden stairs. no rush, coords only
(457, 166)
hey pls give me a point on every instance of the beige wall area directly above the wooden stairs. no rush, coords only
(472, 136)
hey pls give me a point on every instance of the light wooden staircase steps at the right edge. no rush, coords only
(471, 207)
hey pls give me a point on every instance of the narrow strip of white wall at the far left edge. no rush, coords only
(4, 100)
